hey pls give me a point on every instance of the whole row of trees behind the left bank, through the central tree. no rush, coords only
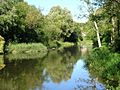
(22, 23)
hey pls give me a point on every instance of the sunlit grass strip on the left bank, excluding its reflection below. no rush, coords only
(27, 48)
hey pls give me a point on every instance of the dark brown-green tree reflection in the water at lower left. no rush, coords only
(20, 75)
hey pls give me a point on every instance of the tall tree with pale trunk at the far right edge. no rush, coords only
(112, 10)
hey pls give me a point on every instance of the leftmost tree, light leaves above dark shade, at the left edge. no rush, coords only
(7, 18)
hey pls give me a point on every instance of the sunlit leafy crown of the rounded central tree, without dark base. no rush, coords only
(58, 21)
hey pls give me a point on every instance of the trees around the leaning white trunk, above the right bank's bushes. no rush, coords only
(106, 14)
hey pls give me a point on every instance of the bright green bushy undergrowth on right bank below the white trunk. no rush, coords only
(105, 65)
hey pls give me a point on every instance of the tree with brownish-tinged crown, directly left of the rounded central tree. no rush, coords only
(30, 23)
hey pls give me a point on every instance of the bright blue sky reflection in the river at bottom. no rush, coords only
(80, 80)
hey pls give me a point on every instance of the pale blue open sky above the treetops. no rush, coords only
(77, 7)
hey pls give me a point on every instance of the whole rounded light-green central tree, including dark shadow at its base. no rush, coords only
(59, 25)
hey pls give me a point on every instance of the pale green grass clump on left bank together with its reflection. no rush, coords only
(26, 51)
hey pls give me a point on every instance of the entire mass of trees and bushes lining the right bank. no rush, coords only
(102, 62)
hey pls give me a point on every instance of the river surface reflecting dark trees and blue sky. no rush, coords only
(59, 70)
